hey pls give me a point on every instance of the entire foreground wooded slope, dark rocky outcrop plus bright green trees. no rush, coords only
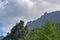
(49, 31)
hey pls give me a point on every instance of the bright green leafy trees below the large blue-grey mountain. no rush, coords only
(49, 31)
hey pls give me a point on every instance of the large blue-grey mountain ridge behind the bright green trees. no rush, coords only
(53, 16)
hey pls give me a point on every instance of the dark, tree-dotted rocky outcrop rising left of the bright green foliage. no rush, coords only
(17, 32)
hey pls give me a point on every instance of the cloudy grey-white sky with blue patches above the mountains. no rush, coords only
(12, 11)
